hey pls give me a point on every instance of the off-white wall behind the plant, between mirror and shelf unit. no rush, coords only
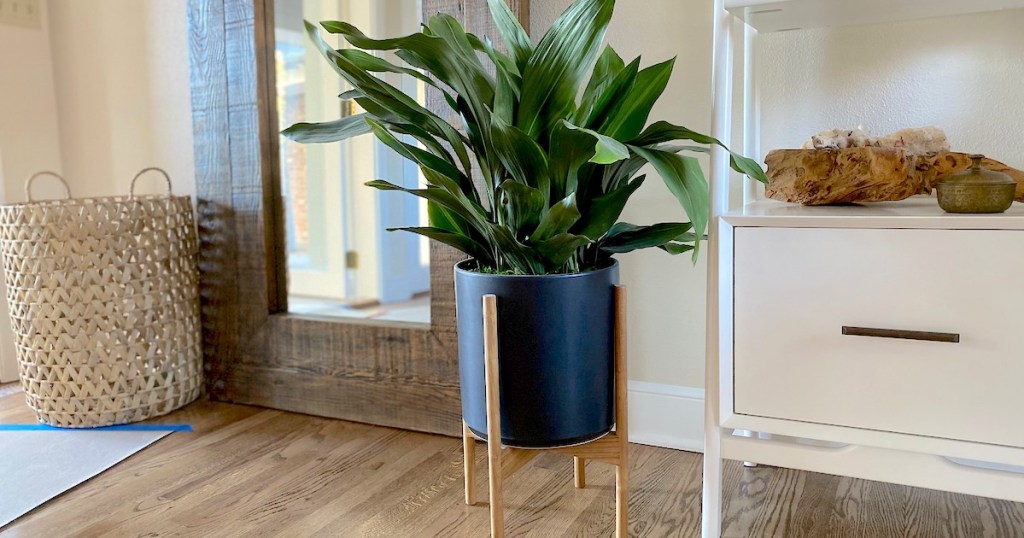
(667, 294)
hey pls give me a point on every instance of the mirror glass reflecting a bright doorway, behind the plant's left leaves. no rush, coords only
(342, 260)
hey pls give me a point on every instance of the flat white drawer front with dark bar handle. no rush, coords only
(795, 289)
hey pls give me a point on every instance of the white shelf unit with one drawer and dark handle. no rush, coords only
(883, 342)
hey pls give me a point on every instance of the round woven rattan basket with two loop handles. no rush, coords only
(104, 303)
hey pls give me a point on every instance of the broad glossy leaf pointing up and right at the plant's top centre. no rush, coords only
(552, 78)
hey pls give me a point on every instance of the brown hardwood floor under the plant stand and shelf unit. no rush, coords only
(251, 472)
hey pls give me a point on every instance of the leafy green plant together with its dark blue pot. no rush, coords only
(559, 132)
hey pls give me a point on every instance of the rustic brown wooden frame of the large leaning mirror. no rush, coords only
(257, 353)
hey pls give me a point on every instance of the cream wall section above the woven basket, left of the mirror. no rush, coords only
(121, 73)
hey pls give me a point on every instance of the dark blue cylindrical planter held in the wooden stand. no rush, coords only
(556, 352)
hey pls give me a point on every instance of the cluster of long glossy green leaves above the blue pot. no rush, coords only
(558, 131)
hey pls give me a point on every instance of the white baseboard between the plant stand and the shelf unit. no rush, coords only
(669, 417)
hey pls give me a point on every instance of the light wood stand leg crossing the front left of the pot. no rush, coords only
(494, 416)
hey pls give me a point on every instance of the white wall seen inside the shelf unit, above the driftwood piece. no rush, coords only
(964, 74)
